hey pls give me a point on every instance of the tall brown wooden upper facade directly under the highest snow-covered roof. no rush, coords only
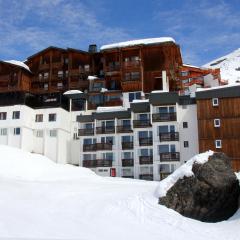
(139, 68)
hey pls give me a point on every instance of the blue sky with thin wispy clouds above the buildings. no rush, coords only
(205, 29)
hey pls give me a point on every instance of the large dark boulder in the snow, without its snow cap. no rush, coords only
(211, 195)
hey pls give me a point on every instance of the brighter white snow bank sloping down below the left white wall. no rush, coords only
(18, 164)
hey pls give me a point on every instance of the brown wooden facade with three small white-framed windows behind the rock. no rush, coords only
(227, 115)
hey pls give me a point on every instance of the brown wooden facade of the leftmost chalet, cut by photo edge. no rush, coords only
(14, 78)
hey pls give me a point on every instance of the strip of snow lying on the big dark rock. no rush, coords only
(184, 170)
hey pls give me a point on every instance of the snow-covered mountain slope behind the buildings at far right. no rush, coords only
(229, 65)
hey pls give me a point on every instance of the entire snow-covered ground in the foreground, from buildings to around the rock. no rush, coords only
(42, 200)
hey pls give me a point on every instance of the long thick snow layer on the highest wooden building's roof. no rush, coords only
(146, 41)
